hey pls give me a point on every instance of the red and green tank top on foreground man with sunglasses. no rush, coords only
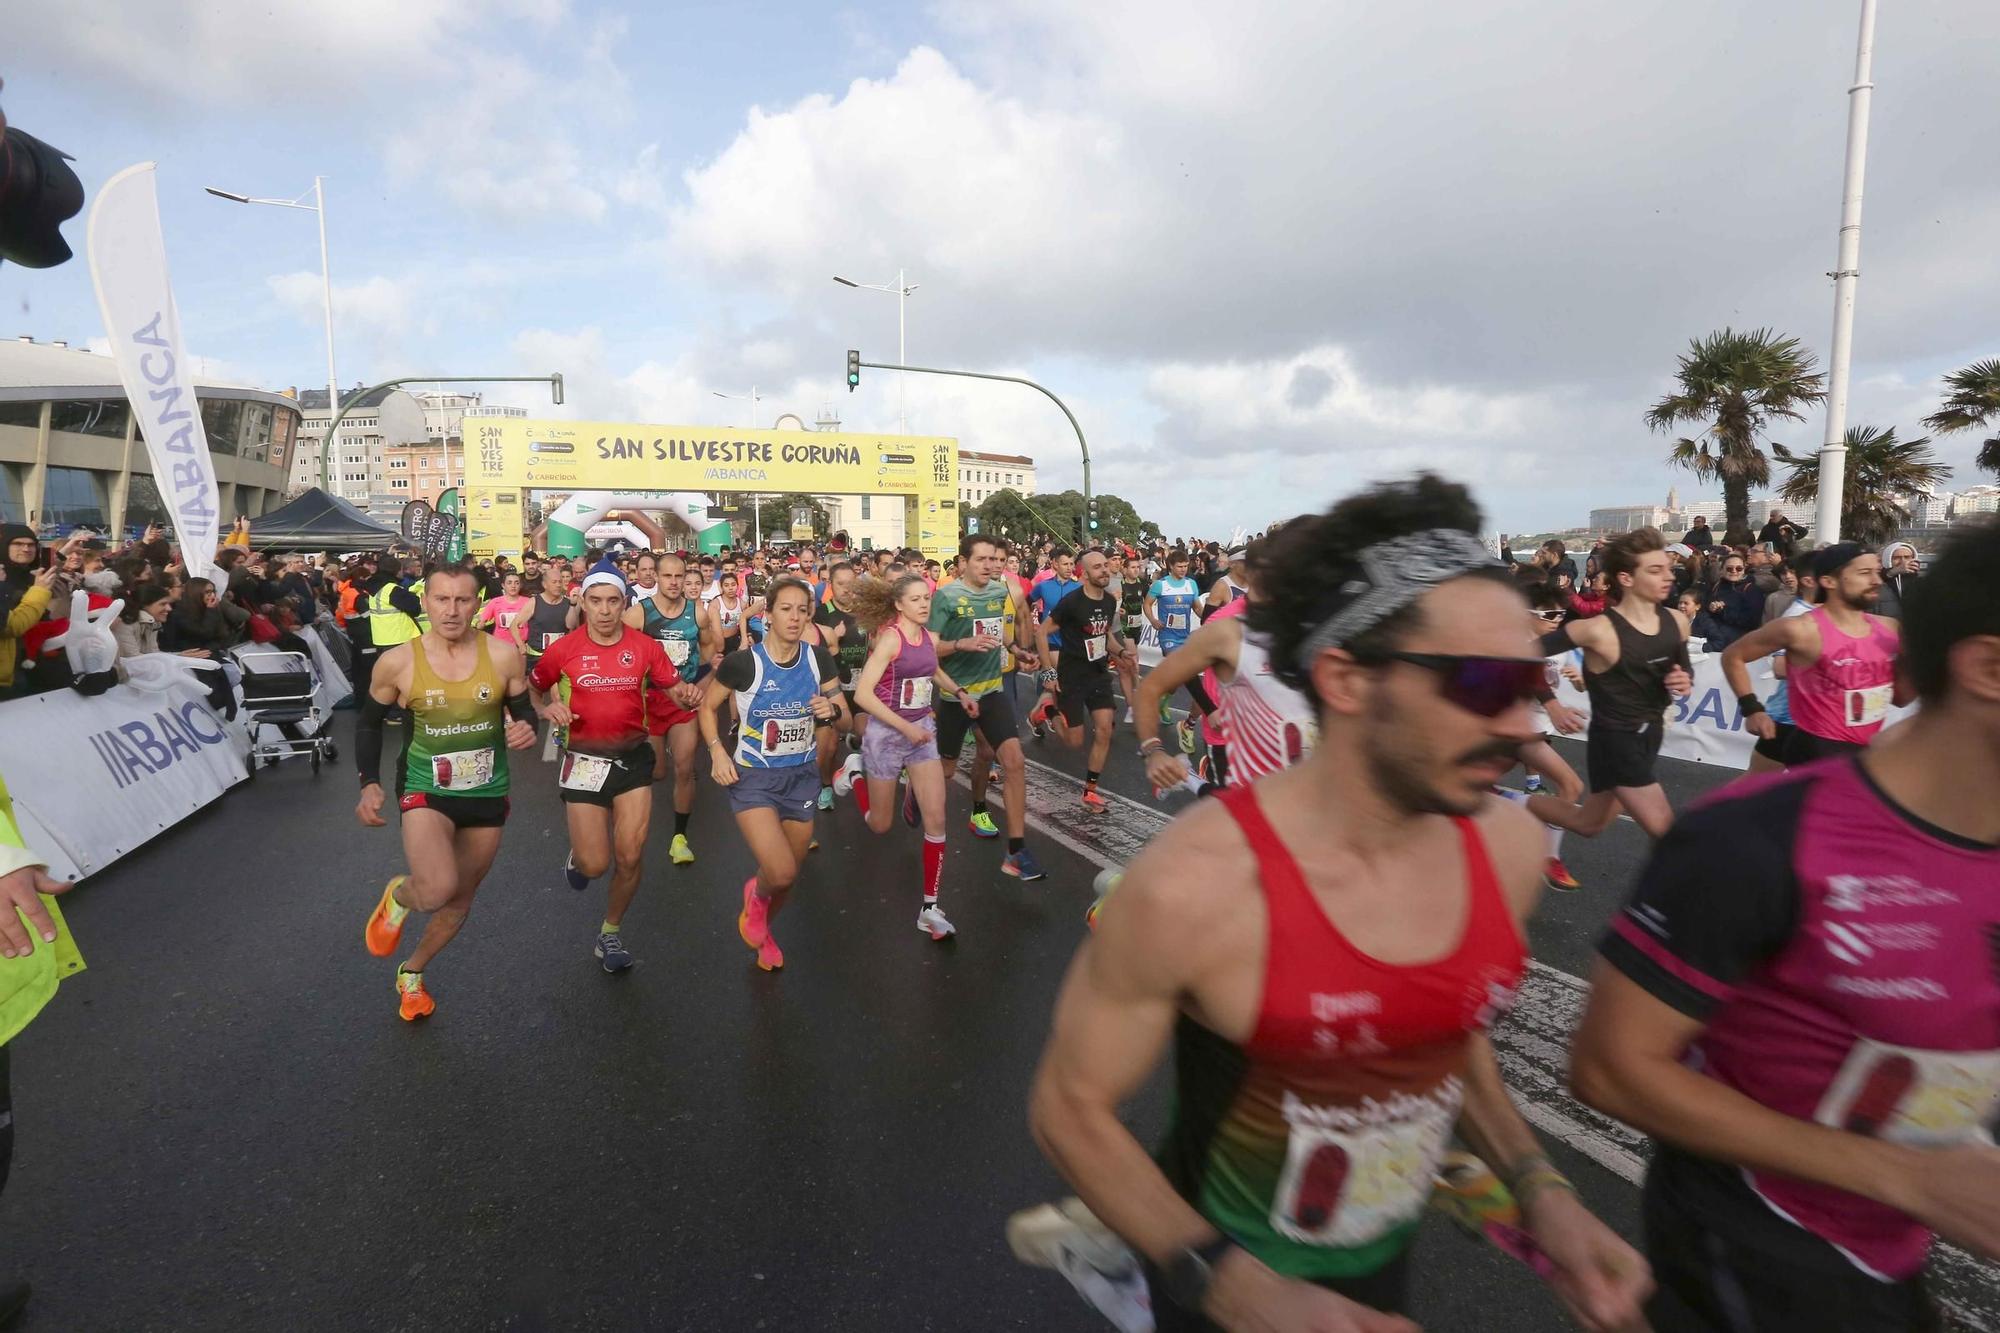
(1315, 1144)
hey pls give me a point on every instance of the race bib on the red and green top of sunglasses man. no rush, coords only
(1347, 1184)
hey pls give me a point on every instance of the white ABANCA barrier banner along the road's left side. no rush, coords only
(99, 776)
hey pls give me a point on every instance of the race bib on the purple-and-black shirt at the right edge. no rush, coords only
(1915, 1098)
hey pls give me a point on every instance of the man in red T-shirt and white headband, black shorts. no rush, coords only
(607, 762)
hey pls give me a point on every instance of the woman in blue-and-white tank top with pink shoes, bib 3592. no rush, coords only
(783, 692)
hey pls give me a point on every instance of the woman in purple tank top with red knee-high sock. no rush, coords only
(897, 688)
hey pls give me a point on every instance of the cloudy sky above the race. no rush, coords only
(1267, 251)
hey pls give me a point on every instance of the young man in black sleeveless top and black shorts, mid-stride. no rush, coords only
(1635, 663)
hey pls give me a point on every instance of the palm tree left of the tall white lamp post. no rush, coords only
(1737, 383)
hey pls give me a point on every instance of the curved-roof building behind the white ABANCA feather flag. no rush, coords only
(71, 453)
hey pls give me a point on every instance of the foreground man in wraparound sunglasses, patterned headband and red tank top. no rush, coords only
(1327, 952)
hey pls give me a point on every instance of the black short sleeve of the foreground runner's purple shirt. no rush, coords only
(1701, 924)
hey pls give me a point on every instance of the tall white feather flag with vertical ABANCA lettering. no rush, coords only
(129, 269)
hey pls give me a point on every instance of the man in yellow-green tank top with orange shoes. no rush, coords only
(453, 780)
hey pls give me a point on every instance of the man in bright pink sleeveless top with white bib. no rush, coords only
(1841, 661)
